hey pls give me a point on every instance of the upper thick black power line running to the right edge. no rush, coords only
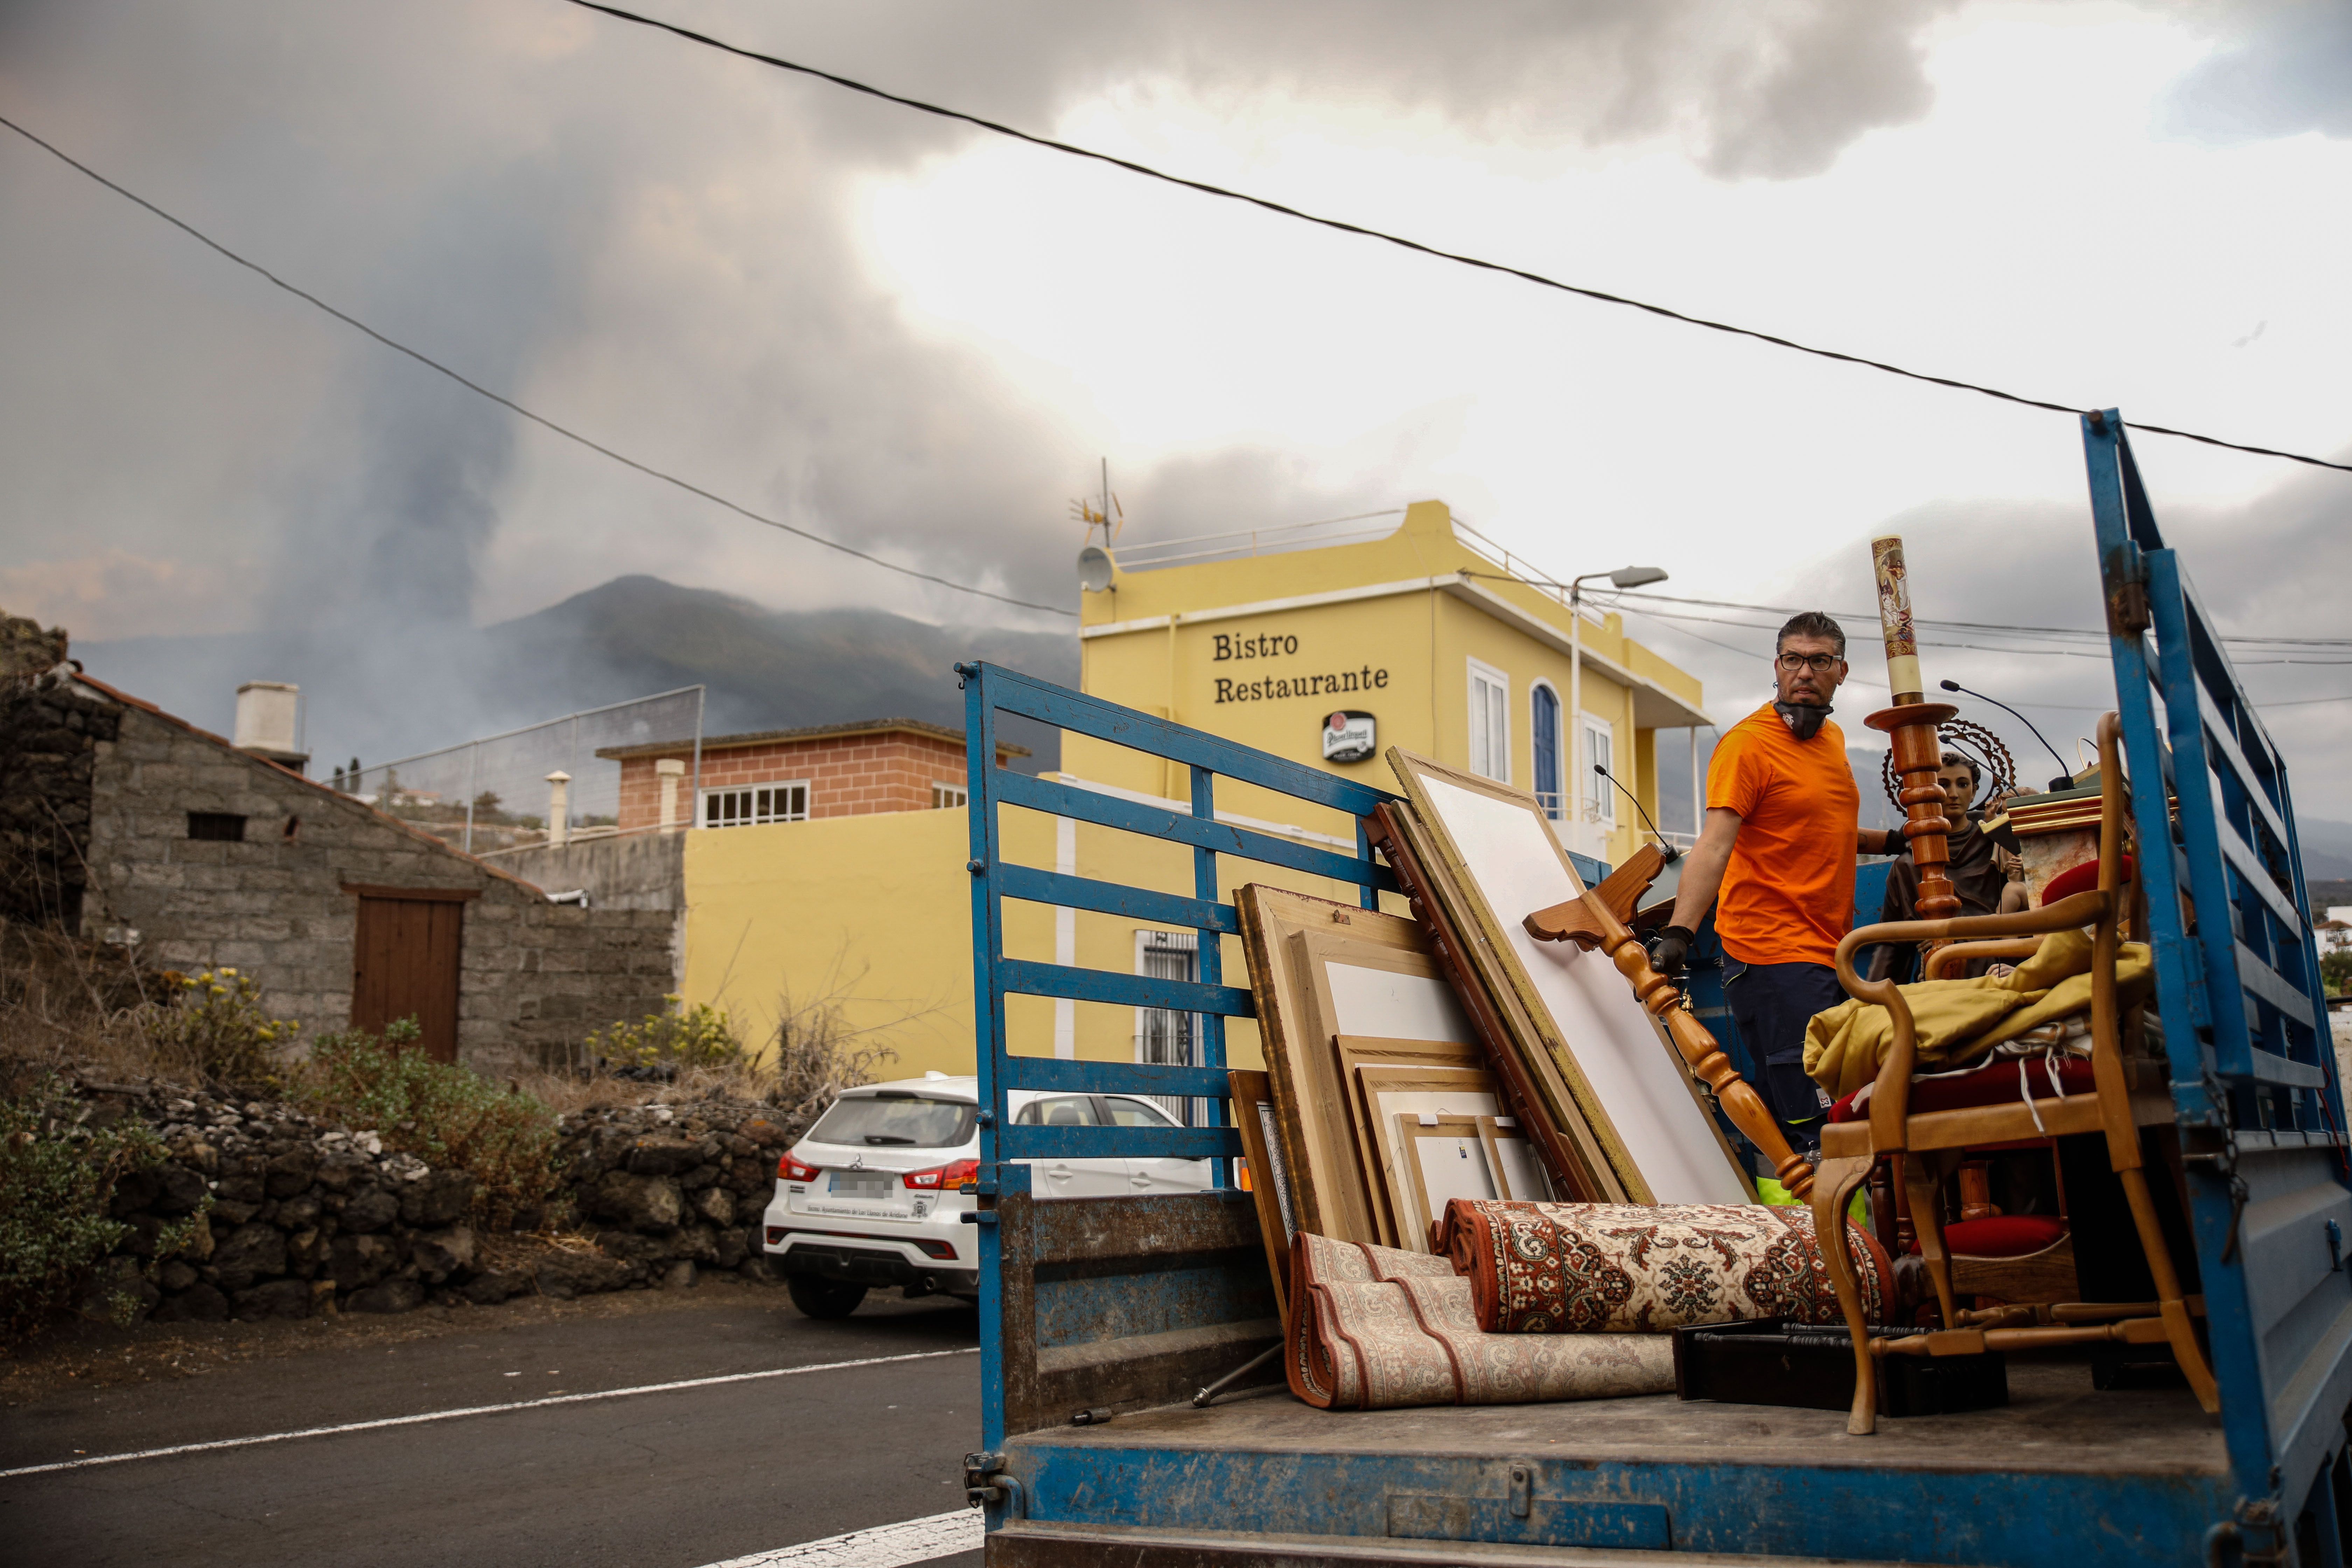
(1412, 246)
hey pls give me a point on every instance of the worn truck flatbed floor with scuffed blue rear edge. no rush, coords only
(2064, 1473)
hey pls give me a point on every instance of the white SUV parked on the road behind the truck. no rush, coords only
(874, 1193)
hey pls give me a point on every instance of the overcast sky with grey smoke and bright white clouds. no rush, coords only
(921, 340)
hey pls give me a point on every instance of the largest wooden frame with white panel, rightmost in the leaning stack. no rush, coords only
(1636, 1094)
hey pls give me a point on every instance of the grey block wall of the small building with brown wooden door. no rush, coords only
(535, 977)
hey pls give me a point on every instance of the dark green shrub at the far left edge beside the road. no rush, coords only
(58, 1177)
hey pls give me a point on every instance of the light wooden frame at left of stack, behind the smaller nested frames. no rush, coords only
(1330, 1195)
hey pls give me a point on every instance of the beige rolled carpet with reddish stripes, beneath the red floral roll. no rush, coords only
(1375, 1329)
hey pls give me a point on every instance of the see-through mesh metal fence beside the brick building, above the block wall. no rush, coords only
(497, 791)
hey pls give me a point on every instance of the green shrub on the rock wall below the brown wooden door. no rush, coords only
(441, 1113)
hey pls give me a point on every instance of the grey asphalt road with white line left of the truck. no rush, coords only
(671, 1480)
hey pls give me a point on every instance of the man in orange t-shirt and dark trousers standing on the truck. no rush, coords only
(1777, 847)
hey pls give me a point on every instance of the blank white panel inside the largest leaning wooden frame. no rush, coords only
(1509, 852)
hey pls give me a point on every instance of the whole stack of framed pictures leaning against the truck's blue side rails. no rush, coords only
(1415, 1061)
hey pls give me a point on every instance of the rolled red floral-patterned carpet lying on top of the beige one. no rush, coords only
(1624, 1268)
